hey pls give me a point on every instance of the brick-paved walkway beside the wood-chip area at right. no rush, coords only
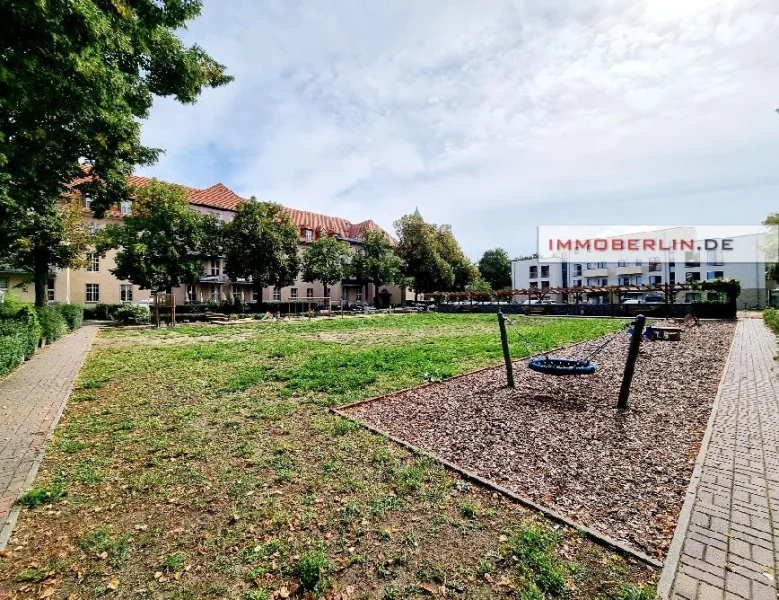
(728, 533)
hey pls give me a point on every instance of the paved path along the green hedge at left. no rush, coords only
(31, 402)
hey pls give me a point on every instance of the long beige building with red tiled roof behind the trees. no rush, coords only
(95, 284)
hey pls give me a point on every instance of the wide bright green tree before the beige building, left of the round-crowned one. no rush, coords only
(162, 244)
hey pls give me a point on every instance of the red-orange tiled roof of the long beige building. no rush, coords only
(220, 197)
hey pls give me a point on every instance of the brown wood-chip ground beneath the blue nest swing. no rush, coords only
(560, 441)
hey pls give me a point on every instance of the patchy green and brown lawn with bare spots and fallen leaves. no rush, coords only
(202, 462)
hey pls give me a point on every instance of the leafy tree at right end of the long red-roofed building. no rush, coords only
(433, 258)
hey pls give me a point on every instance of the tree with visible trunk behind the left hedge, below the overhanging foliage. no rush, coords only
(57, 237)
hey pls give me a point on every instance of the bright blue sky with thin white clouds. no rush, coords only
(494, 116)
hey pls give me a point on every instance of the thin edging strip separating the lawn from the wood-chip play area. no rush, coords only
(590, 533)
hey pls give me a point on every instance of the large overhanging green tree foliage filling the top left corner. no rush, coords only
(76, 79)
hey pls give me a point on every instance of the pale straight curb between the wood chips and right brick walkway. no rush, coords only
(668, 576)
